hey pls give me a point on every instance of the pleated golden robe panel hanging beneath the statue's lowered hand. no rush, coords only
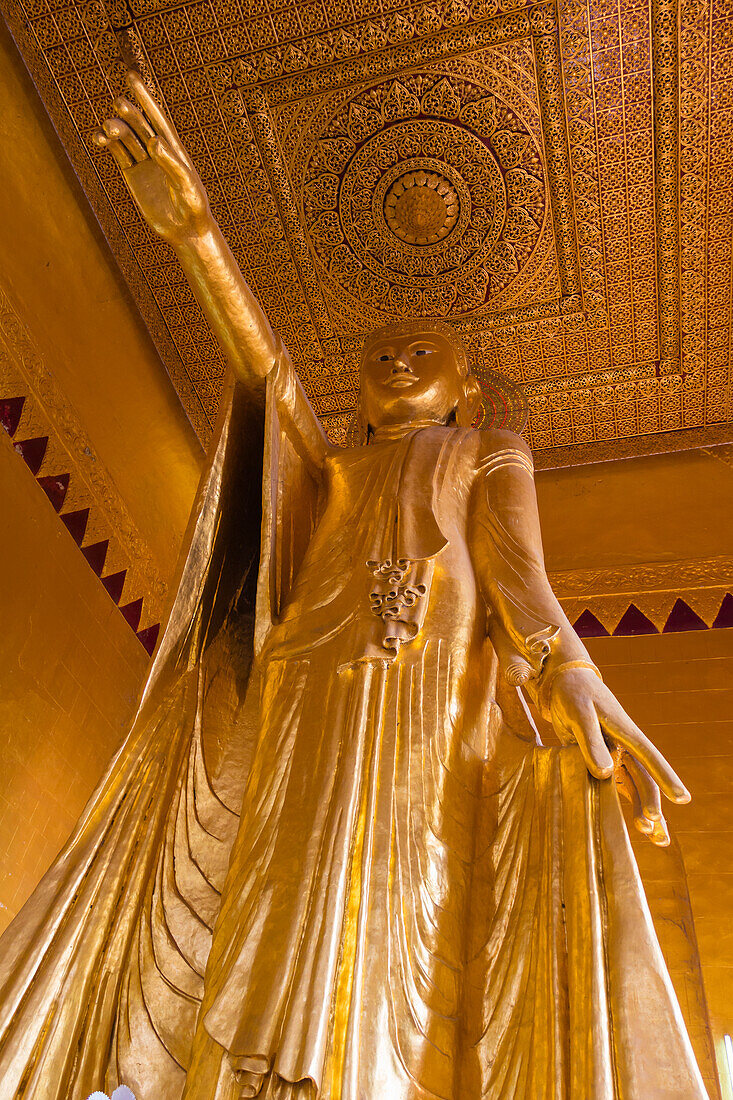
(568, 996)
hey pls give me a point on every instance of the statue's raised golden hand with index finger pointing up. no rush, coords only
(157, 169)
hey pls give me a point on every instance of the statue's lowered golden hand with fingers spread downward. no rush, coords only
(583, 710)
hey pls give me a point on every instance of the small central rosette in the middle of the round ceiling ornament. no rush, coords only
(422, 207)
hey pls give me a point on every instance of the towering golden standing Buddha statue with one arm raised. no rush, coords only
(333, 860)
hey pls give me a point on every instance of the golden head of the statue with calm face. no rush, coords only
(408, 378)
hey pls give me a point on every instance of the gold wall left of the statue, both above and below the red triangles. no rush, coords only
(72, 345)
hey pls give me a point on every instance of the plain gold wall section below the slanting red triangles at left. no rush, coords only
(70, 672)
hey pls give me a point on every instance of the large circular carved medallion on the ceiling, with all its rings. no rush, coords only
(423, 199)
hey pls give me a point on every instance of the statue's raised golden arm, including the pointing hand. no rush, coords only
(172, 199)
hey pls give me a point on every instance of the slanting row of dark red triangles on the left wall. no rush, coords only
(57, 488)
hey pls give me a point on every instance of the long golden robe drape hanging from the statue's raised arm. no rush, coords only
(102, 971)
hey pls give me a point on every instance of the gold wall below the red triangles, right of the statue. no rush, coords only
(680, 689)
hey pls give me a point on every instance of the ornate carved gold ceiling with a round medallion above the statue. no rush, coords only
(555, 179)
